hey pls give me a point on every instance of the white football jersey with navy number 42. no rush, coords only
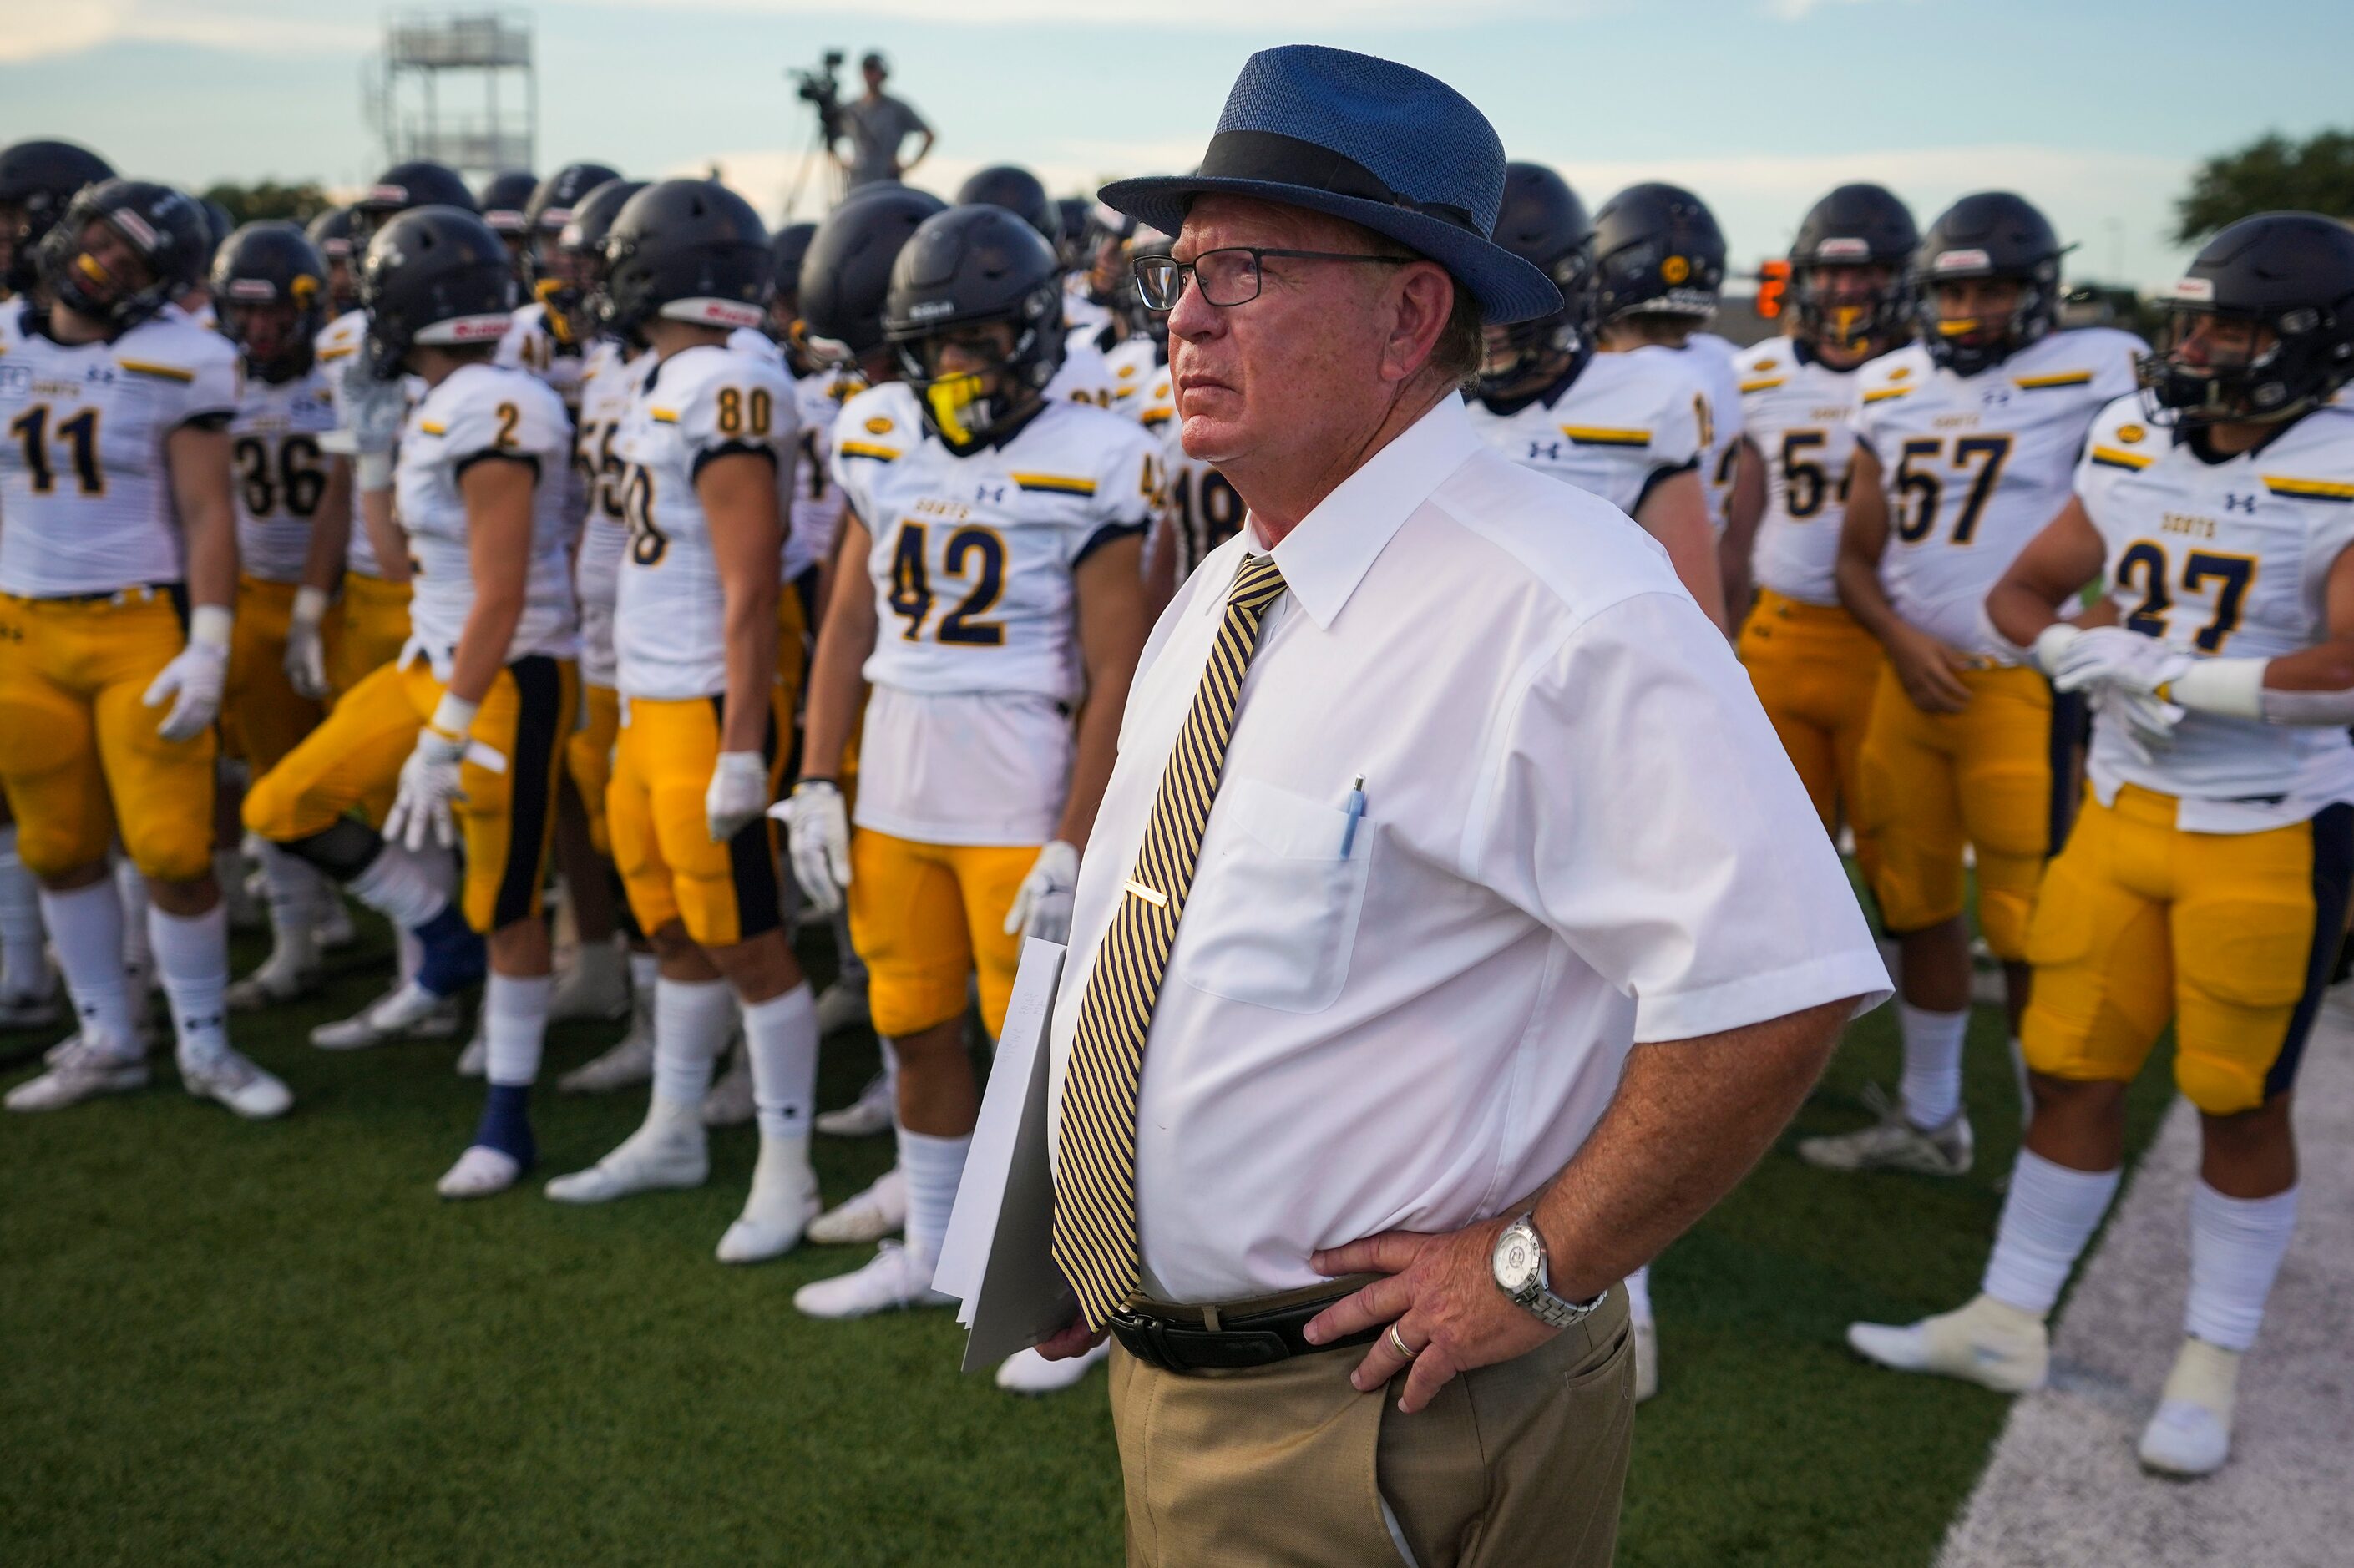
(976, 663)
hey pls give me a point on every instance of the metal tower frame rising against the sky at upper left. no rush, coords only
(458, 88)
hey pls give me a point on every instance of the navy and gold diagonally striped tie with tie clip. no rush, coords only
(1096, 1183)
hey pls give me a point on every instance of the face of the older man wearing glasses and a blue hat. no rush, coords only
(1301, 359)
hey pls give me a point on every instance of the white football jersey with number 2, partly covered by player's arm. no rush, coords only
(484, 413)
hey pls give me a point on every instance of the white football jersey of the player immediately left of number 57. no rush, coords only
(1795, 408)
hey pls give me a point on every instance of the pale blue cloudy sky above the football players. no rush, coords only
(2092, 107)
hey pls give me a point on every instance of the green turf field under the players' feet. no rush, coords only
(274, 1346)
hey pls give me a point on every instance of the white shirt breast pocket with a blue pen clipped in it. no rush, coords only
(1275, 908)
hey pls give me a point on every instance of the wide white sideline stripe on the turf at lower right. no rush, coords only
(2063, 1487)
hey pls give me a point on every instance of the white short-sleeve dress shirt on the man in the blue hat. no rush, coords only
(1578, 832)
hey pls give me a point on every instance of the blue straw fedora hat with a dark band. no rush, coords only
(1371, 142)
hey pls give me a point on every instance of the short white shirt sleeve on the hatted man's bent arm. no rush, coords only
(1647, 813)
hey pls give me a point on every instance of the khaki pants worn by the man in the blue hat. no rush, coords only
(1512, 1466)
